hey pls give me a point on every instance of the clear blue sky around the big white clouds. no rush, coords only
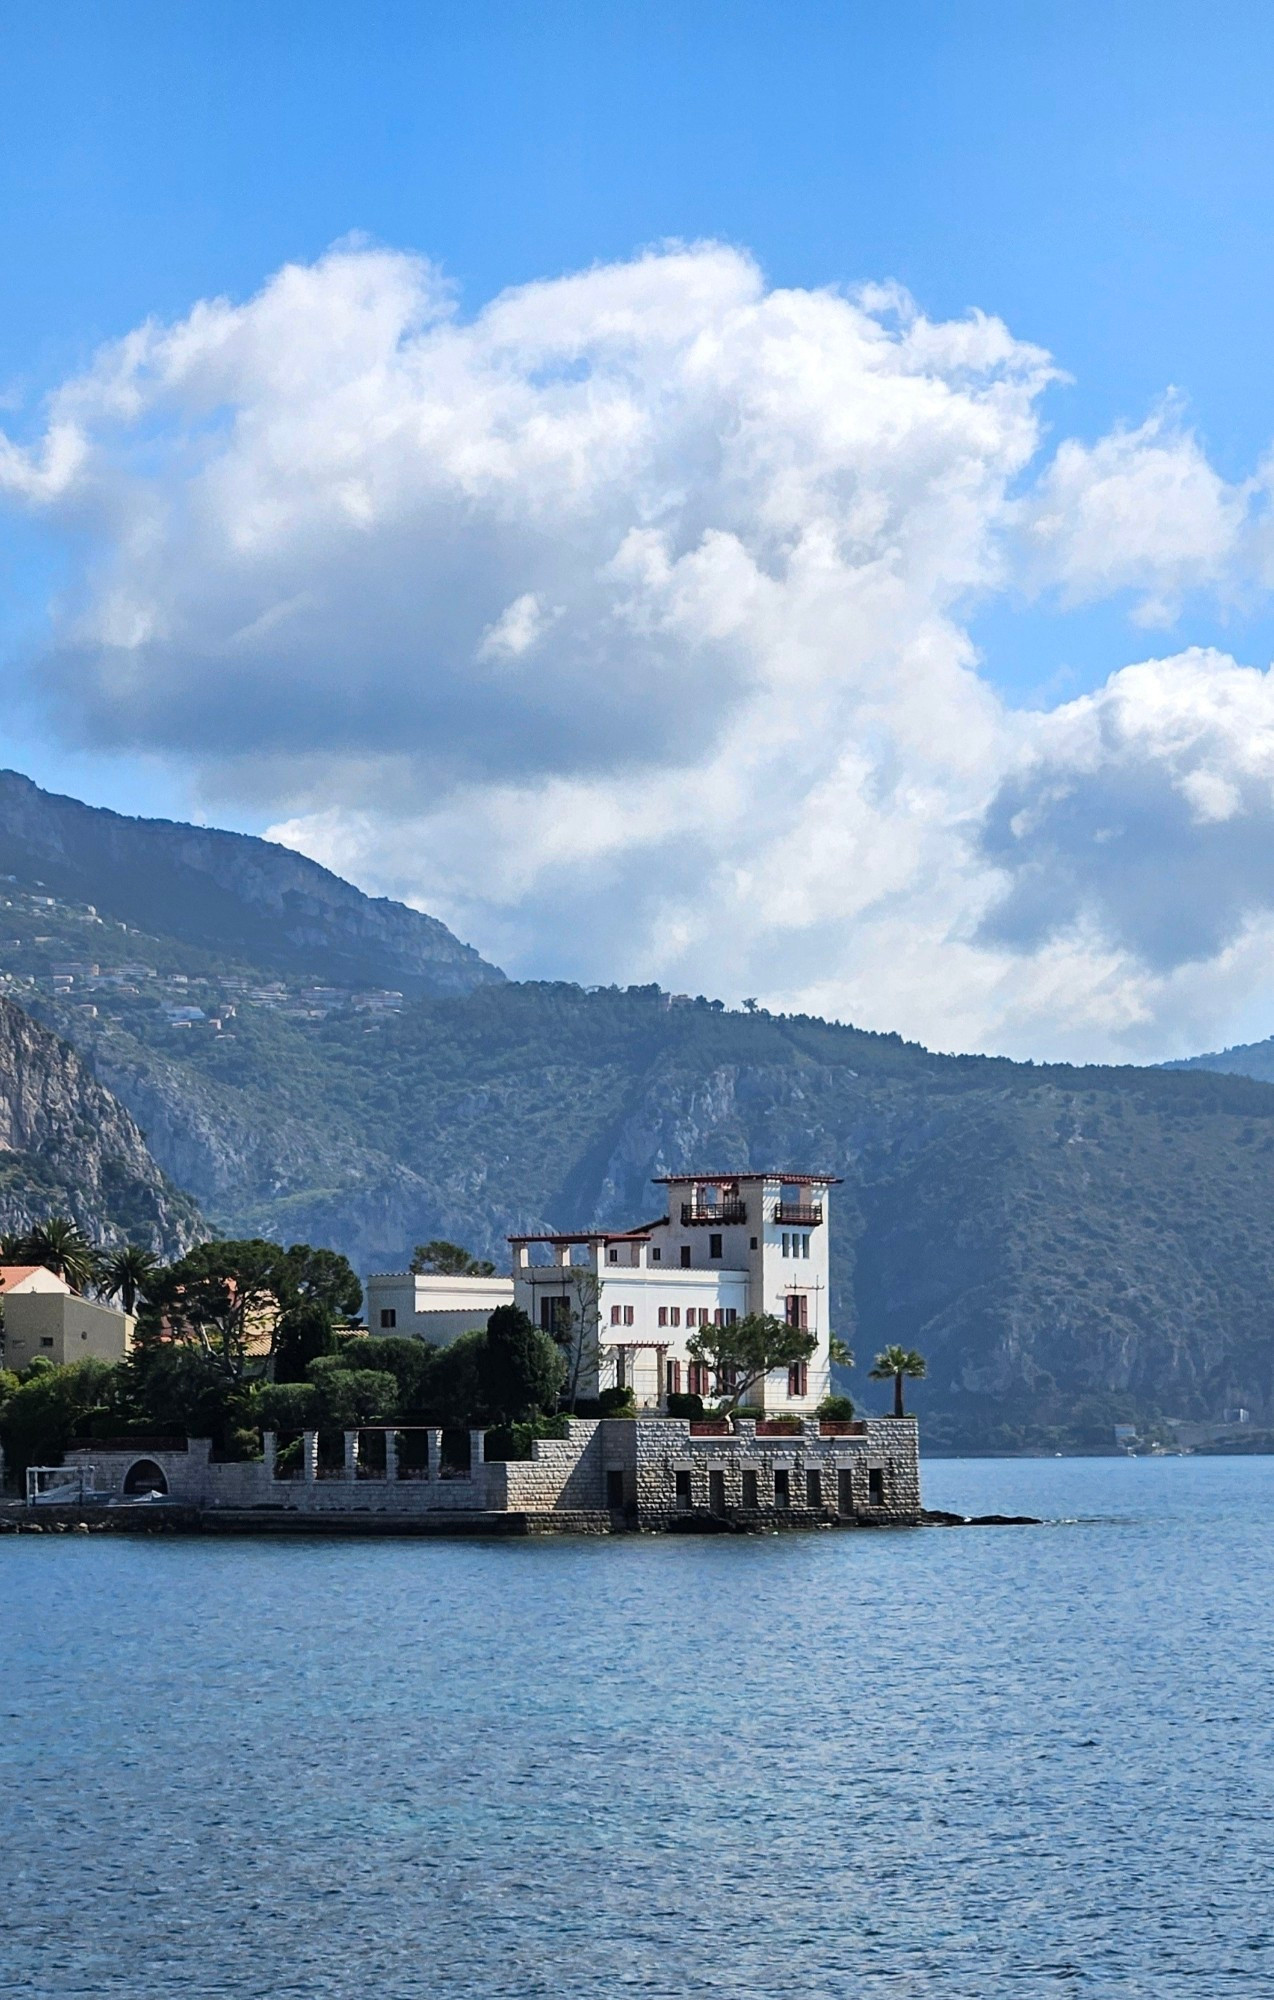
(1101, 179)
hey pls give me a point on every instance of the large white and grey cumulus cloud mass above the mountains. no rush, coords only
(625, 625)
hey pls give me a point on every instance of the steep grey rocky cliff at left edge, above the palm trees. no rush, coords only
(67, 1147)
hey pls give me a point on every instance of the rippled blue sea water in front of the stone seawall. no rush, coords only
(943, 1763)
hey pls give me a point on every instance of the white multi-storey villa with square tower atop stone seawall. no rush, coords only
(731, 1245)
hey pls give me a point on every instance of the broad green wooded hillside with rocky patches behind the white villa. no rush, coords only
(1069, 1247)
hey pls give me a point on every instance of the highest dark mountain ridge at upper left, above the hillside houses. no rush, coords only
(229, 893)
